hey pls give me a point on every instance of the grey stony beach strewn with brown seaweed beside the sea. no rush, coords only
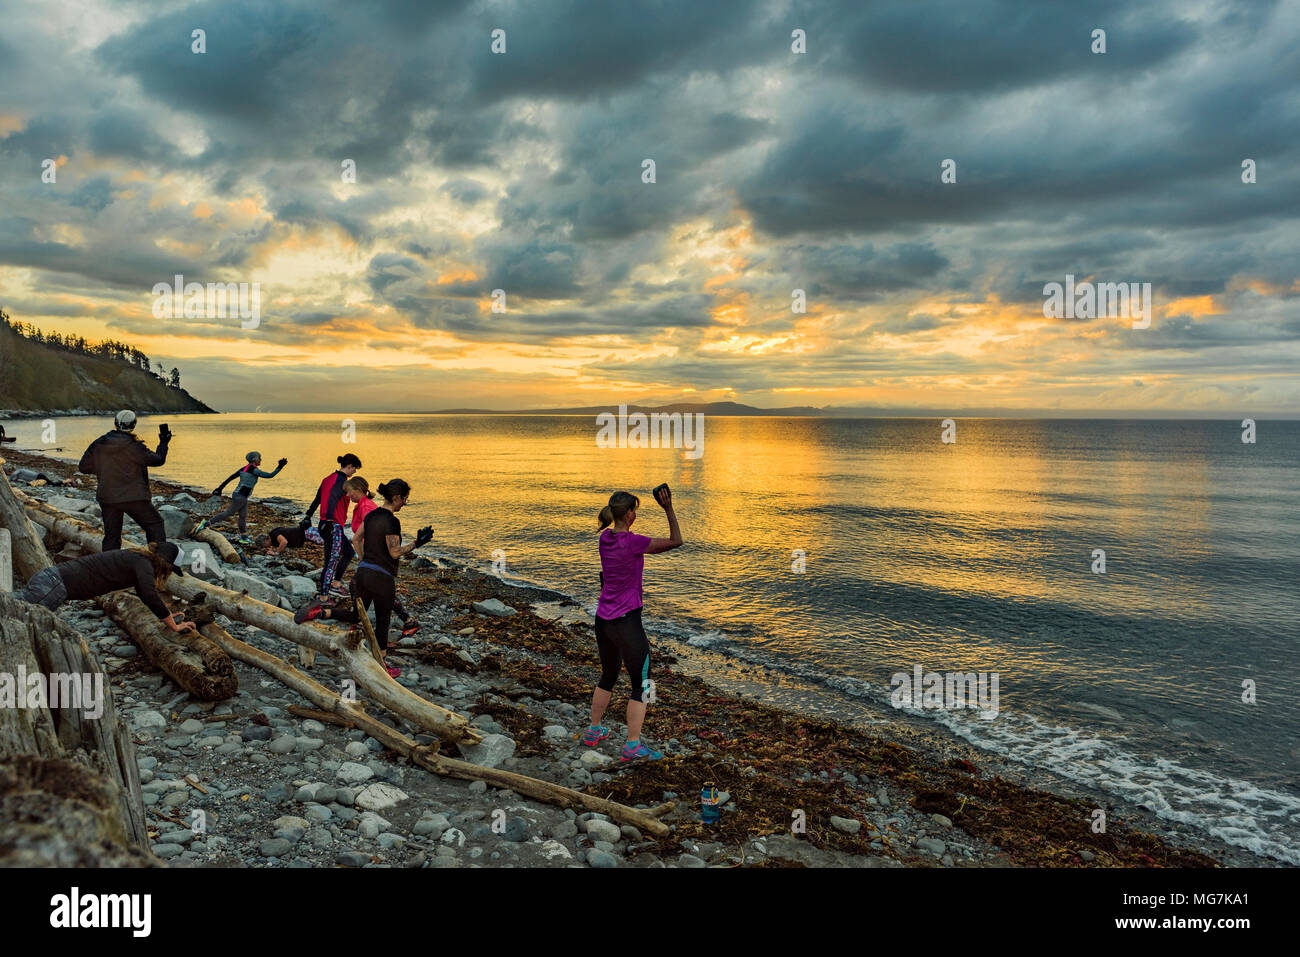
(253, 782)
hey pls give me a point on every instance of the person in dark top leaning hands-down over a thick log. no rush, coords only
(145, 570)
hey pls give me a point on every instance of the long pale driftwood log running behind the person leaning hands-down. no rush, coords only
(370, 675)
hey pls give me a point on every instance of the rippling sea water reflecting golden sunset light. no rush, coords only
(967, 557)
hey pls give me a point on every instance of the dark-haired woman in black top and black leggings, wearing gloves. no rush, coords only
(375, 582)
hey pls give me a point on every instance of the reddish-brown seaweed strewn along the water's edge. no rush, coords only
(769, 760)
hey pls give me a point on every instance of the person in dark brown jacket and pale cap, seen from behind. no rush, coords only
(122, 464)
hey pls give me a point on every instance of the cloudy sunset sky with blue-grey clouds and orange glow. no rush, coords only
(775, 171)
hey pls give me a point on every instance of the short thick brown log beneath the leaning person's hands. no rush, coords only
(194, 662)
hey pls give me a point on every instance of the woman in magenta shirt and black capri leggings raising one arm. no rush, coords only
(619, 635)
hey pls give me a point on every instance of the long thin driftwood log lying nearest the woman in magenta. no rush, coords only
(337, 711)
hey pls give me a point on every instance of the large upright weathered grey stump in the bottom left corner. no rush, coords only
(70, 785)
